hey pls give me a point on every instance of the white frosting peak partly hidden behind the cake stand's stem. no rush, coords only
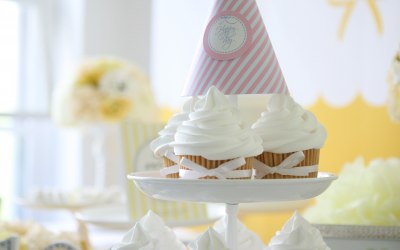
(247, 240)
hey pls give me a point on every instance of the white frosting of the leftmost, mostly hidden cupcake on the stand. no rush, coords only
(160, 145)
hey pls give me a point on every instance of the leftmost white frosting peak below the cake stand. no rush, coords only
(150, 233)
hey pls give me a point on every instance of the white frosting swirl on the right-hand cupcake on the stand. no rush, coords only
(286, 127)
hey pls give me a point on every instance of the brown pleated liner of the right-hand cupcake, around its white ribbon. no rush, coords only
(311, 157)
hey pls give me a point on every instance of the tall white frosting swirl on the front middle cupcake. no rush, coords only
(215, 131)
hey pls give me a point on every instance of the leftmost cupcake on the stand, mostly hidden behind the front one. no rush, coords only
(160, 146)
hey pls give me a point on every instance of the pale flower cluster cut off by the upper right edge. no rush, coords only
(394, 89)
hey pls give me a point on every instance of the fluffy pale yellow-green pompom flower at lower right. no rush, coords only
(362, 195)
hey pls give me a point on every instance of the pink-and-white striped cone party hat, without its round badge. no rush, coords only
(255, 71)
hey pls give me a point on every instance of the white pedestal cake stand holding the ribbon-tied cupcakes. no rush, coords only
(231, 192)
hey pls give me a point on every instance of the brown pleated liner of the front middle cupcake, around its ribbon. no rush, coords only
(211, 164)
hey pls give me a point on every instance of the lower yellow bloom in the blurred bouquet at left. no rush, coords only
(114, 109)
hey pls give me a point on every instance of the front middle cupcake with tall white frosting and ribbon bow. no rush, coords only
(213, 143)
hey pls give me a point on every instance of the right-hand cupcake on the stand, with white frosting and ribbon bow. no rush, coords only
(292, 138)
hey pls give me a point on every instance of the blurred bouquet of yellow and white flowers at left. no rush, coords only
(105, 90)
